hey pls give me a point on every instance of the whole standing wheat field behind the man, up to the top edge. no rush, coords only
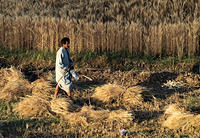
(160, 28)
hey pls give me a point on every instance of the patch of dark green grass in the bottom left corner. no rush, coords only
(13, 126)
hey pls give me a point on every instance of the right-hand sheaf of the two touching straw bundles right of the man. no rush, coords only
(133, 95)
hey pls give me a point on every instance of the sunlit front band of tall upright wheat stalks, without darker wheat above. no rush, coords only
(180, 39)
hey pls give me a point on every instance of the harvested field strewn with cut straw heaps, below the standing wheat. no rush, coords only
(145, 99)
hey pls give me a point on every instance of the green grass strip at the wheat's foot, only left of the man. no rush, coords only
(19, 57)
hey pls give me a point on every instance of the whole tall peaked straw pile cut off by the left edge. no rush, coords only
(13, 85)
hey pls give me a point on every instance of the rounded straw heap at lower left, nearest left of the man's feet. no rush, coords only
(33, 106)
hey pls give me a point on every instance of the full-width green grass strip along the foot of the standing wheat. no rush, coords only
(123, 61)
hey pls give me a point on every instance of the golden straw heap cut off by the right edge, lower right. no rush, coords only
(177, 118)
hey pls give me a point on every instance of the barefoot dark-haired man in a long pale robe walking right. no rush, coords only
(63, 66)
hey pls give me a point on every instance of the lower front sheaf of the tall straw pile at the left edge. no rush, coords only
(15, 89)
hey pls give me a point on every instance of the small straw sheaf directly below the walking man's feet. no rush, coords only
(63, 106)
